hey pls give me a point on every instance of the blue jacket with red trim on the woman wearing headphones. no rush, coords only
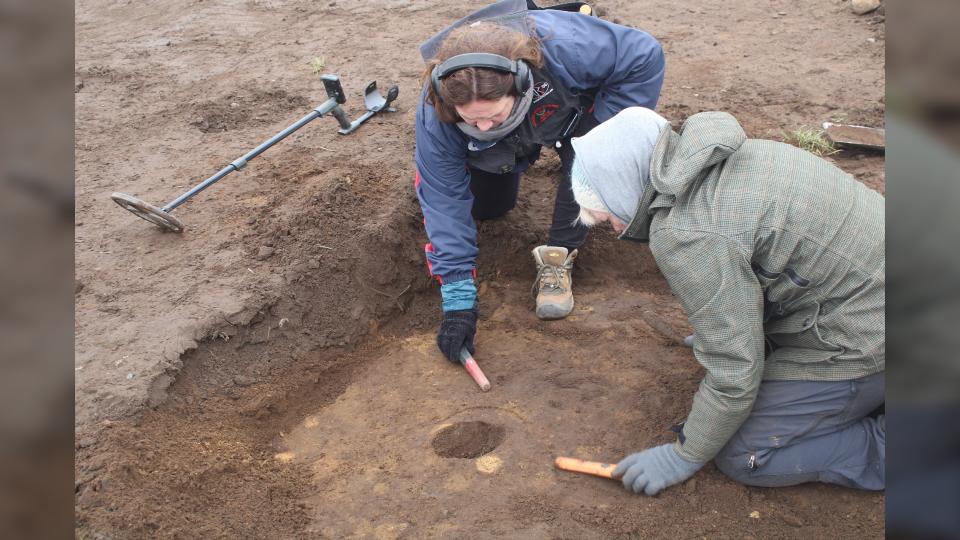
(625, 66)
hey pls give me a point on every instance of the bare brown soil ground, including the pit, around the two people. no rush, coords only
(272, 372)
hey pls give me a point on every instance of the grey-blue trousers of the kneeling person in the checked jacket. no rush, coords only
(801, 431)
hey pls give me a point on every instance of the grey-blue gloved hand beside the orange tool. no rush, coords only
(654, 469)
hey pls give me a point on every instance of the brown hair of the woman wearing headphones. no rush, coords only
(470, 84)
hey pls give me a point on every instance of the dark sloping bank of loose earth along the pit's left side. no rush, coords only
(205, 439)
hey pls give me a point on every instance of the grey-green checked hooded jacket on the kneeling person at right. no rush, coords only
(778, 259)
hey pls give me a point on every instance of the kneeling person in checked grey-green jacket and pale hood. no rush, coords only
(778, 259)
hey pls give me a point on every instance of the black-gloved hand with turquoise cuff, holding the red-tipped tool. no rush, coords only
(459, 325)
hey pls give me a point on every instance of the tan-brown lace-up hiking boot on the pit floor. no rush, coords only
(554, 284)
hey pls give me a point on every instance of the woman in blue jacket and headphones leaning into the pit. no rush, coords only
(499, 85)
